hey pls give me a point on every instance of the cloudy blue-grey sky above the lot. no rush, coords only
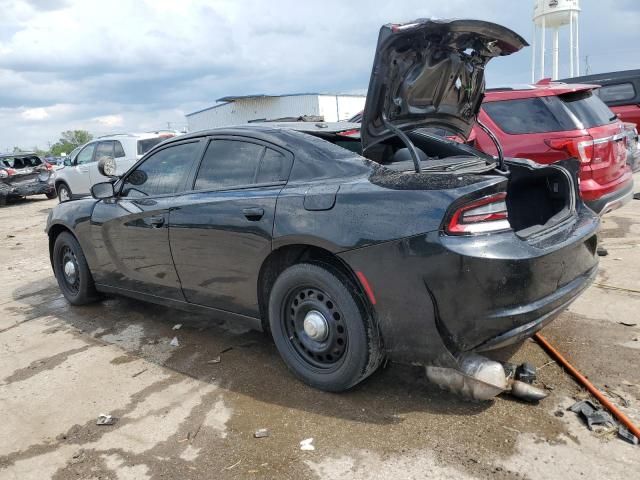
(123, 65)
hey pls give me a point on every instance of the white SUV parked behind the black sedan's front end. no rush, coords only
(80, 169)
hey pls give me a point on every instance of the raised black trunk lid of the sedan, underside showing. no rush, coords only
(431, 73)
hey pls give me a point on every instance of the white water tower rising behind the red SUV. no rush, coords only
(552, 15)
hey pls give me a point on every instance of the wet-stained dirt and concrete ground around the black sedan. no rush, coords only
(182, 416)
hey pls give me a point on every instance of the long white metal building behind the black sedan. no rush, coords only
(235, 110)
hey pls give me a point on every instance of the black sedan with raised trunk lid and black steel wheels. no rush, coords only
(347, 248)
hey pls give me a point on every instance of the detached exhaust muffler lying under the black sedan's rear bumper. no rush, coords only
(478, 378)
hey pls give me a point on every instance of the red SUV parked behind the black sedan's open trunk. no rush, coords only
(552, 121)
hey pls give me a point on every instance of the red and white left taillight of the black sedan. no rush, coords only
(488, 214)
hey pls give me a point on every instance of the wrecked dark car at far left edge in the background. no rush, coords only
(23, 174)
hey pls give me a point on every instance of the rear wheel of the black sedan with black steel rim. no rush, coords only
(321, 328)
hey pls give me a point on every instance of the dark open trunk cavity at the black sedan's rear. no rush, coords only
(537, 199)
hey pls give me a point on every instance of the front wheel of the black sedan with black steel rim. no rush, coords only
(71, 271)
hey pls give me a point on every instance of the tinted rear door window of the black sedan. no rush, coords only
(228, 163)
